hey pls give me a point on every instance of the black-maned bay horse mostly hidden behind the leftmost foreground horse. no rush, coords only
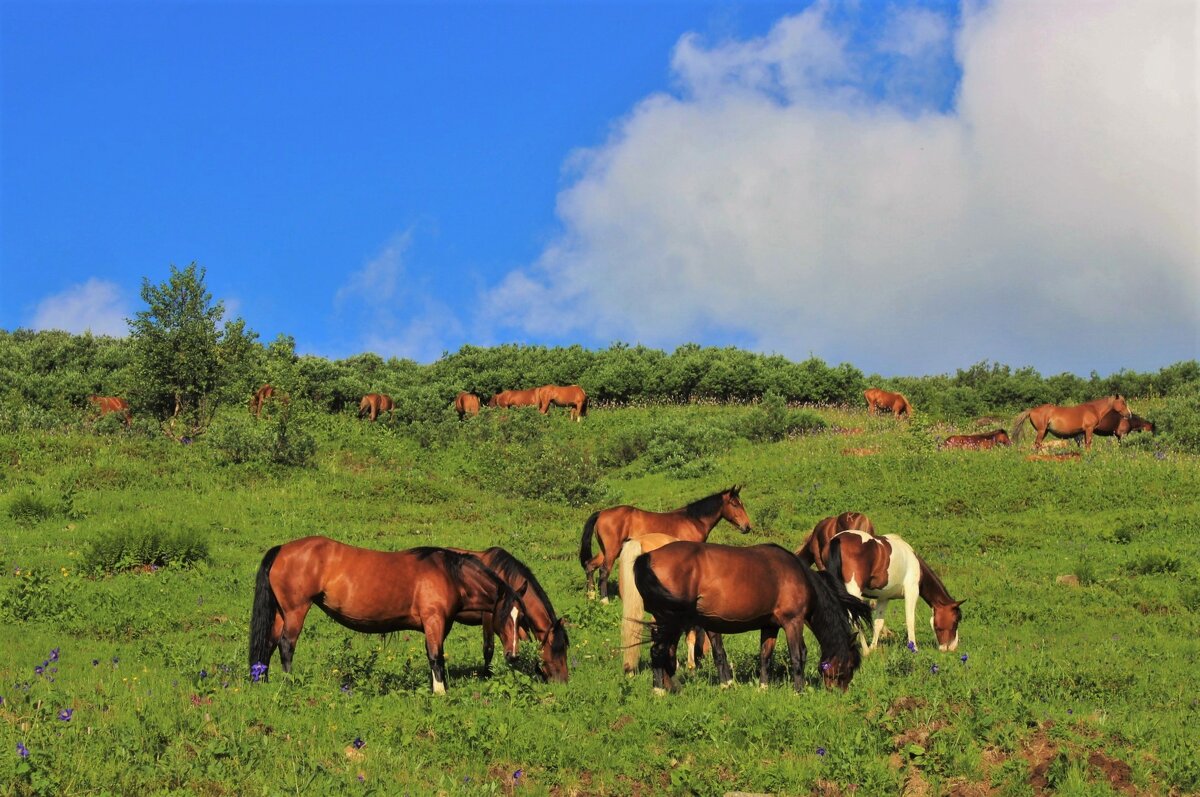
(541, 620)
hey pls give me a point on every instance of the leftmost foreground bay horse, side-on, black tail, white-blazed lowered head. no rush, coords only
(376, 592)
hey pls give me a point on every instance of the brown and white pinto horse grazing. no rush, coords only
(885, 568)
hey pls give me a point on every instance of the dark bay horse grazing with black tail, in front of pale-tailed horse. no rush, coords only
(728, 590)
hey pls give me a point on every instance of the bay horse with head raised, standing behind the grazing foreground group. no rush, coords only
(616, 525)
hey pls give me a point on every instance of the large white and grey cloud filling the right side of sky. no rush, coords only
(787, 194)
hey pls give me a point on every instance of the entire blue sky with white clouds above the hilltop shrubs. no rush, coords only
(910, 188)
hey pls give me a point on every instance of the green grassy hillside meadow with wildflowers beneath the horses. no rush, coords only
(1087, 688)
